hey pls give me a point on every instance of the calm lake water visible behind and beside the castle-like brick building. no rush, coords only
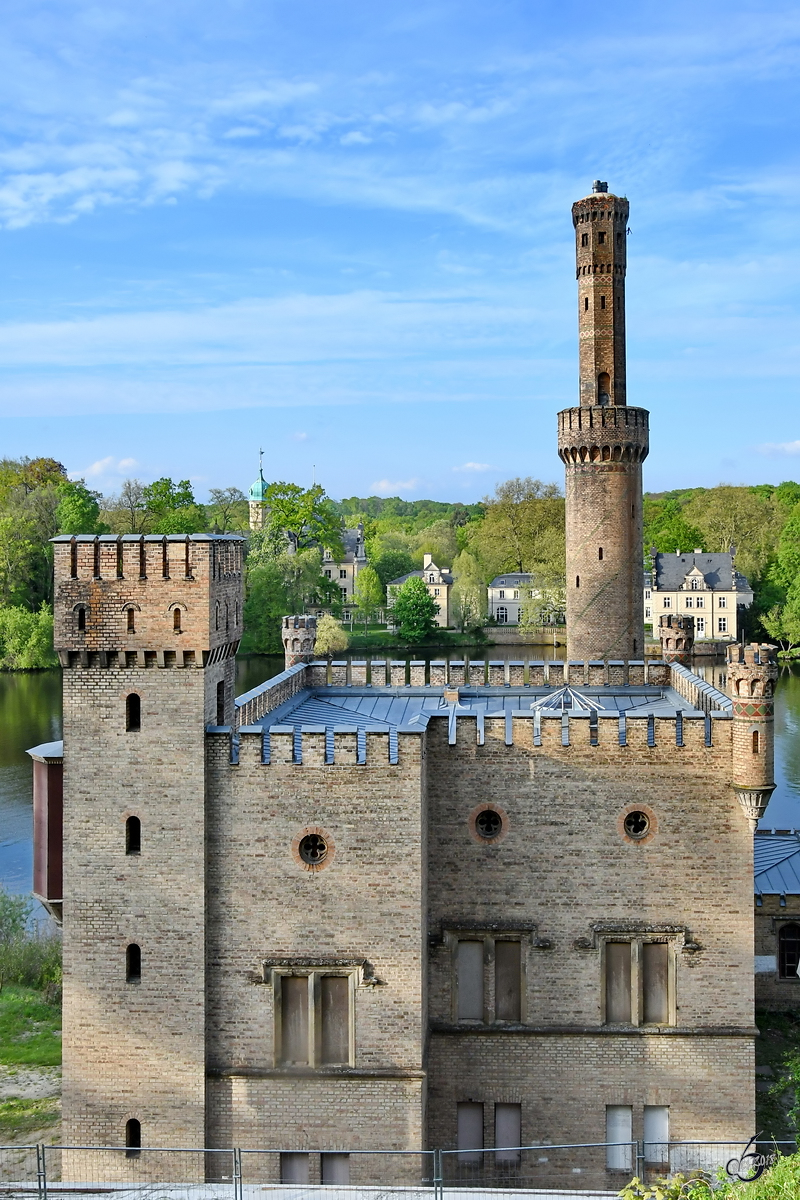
(31, 713)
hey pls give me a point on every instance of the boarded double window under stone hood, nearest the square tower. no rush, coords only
(314, 1019)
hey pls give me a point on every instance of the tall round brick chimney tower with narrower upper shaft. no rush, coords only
(603, 445)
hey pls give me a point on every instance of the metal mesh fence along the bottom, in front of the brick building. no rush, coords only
(558, 1172)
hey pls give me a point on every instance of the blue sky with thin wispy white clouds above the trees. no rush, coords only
(340, 231)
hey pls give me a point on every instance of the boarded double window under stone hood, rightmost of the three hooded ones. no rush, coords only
(639, 987)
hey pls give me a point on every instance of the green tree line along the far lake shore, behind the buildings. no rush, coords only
(520, 527)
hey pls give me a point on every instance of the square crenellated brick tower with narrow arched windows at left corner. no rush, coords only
(147, 629)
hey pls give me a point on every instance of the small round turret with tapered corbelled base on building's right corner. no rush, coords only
(753, 674)
